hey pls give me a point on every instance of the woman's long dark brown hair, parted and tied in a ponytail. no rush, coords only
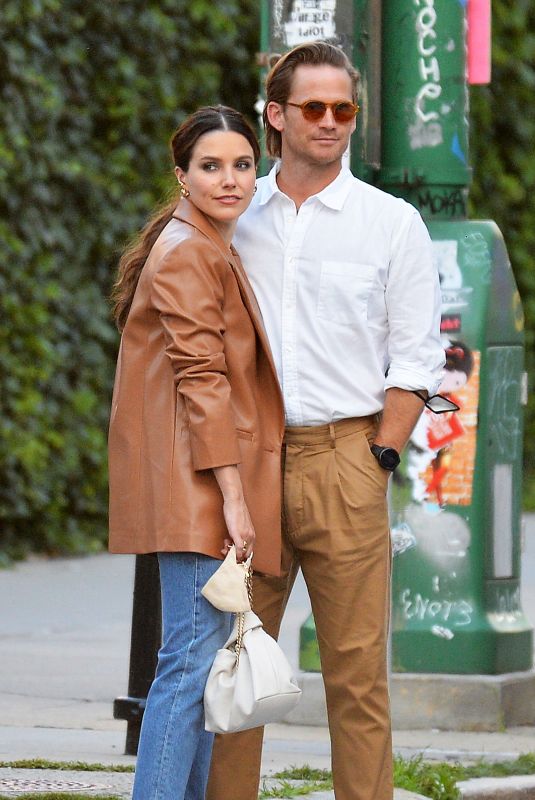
(183, 141)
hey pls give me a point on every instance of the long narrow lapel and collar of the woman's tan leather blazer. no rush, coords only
(187, 212)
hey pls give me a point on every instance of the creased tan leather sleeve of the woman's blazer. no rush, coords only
(188, 292)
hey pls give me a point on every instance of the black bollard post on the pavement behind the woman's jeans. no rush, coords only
(144, 645)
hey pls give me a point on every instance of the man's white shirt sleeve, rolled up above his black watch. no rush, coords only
(415, 351)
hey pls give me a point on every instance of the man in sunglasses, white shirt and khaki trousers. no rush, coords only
(345, 280)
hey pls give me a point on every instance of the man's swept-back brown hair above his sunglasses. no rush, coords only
(279, 80)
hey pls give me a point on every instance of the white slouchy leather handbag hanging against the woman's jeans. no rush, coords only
(251, 682)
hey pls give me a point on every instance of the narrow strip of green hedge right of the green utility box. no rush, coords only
(502, 146)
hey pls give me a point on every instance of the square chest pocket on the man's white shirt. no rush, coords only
(344, 291)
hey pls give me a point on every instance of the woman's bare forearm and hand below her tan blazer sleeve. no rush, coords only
(236, 513)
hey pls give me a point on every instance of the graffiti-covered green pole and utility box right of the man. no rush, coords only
(456, 499)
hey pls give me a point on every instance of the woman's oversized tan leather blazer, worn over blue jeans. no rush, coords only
(195, 388)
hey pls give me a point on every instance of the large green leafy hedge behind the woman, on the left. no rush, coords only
(89, 95)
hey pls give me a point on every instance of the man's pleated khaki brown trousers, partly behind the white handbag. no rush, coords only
(335, 527)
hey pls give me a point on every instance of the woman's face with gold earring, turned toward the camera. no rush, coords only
(221, 177)
